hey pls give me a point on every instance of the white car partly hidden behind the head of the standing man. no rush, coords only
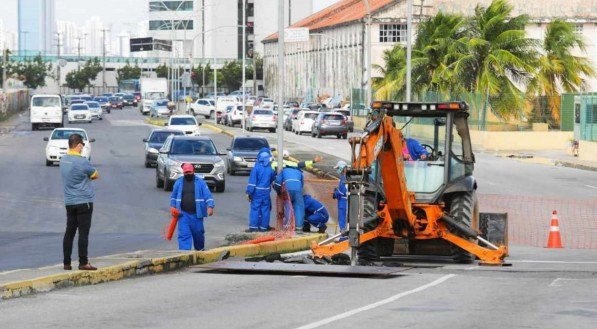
(58, 144)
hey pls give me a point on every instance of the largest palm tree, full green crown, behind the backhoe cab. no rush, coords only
(494, 59)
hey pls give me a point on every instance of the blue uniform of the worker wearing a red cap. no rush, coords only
(190, 225)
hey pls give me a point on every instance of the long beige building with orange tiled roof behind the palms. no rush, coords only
(331, 62)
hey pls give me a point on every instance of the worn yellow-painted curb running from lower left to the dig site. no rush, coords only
(150, 266)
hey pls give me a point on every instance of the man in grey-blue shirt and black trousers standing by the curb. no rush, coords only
(79, 195)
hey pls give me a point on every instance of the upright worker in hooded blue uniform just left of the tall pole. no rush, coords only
(258, 189)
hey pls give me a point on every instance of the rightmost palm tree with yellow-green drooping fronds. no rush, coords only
(558, 68)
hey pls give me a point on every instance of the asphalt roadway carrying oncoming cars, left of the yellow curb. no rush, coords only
(130, 212)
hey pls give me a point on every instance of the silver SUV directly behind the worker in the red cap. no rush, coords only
(199, 151)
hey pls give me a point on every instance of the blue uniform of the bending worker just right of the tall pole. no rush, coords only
(292, 178)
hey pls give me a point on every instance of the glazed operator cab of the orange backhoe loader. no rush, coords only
(442, 129)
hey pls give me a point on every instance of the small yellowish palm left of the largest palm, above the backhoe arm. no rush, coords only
(393, 84)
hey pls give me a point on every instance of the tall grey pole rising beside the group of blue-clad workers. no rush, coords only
(280, 84)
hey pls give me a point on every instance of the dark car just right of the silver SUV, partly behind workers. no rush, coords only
(242, 153)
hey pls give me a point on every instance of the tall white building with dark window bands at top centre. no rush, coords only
(210, 28)
